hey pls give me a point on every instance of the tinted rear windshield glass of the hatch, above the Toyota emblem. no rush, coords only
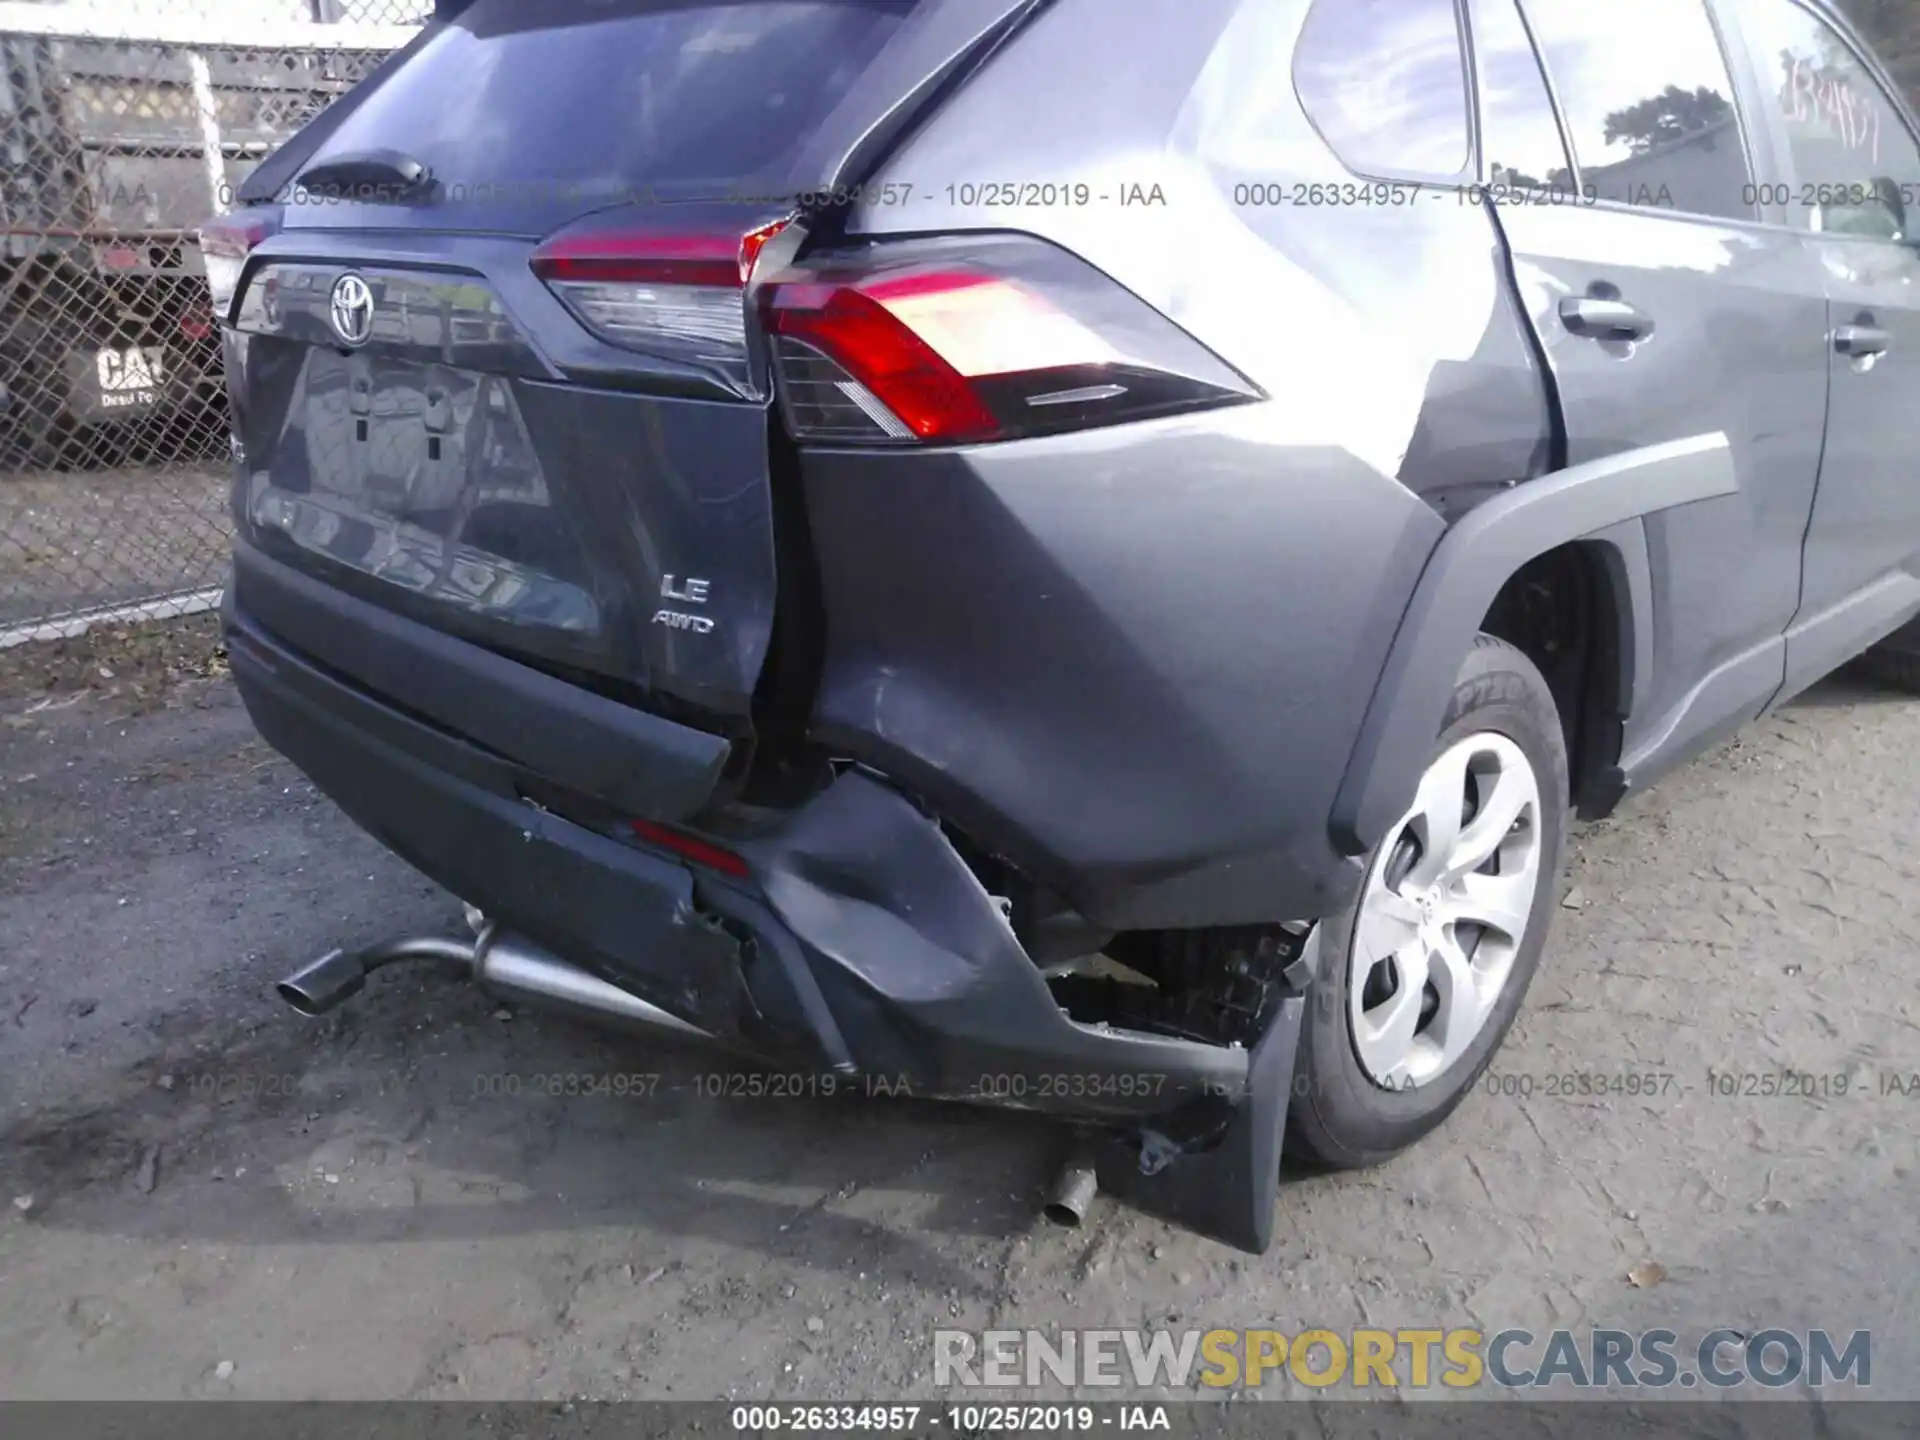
(621, 99)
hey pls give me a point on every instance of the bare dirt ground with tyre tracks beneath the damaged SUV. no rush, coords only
(203, 1195)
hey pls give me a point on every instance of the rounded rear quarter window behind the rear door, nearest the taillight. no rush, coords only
(1385, 84)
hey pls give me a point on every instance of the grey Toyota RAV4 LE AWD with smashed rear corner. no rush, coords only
(1065, 554)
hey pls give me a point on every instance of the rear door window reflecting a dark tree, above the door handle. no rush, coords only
(1648, 103)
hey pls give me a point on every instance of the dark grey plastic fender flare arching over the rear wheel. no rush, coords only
(1600, 502)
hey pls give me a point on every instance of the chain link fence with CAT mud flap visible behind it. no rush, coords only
(124, 126)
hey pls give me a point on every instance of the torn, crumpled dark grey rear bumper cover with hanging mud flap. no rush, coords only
(859, 942)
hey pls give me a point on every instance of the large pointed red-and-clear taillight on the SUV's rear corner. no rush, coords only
(976, 339)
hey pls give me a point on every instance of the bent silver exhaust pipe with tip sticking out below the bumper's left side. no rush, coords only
(504, 965)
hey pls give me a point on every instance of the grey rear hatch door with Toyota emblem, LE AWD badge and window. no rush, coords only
(569, 466)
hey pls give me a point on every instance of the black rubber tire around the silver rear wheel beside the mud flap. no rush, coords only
(1339, 1116)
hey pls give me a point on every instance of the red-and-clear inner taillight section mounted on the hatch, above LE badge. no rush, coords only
(679, 295)
